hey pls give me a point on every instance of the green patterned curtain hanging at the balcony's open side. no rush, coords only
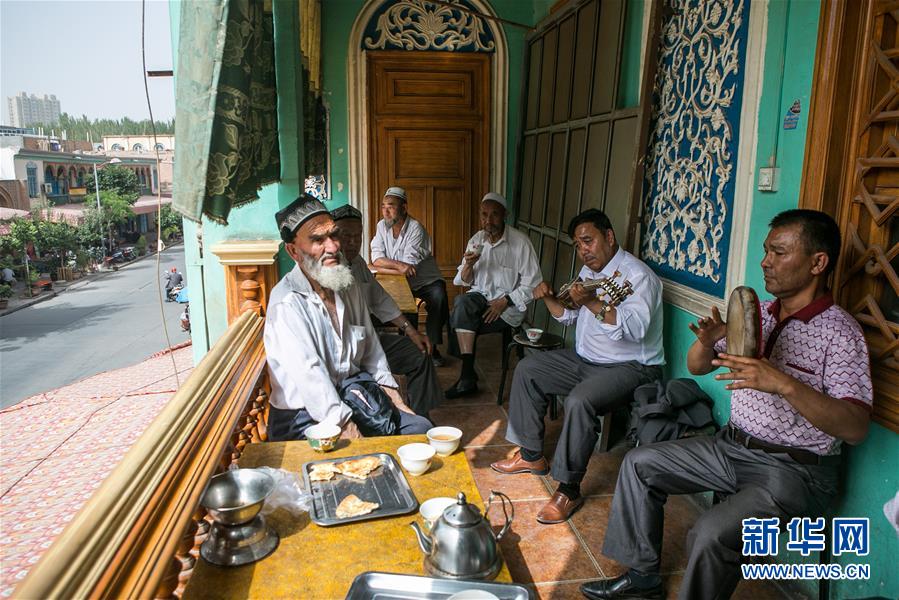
(226, 121)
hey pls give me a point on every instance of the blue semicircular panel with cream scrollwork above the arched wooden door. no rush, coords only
(423, 25)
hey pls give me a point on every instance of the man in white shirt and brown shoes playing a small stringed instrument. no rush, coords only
(618, 347)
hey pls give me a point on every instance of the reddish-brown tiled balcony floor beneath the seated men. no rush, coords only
(556, 559)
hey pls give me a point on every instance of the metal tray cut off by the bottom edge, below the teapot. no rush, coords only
(389, 586)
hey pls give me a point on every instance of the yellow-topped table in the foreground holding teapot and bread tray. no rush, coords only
(321, 562)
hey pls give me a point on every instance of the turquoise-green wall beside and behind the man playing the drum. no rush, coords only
(872, 474)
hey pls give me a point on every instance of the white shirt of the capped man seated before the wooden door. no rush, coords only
(412, 246)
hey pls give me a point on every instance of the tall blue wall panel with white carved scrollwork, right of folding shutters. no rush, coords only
(695, 126)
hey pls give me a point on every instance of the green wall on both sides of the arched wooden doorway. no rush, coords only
(337, 22)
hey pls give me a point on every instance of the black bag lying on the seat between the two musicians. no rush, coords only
(663, 412)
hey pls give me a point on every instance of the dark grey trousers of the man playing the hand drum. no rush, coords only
(756, 484)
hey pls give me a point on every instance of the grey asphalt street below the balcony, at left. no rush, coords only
(112, 321)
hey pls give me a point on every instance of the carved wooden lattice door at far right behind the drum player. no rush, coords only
(852, 173)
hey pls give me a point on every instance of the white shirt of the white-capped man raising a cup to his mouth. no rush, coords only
(507, 267)
